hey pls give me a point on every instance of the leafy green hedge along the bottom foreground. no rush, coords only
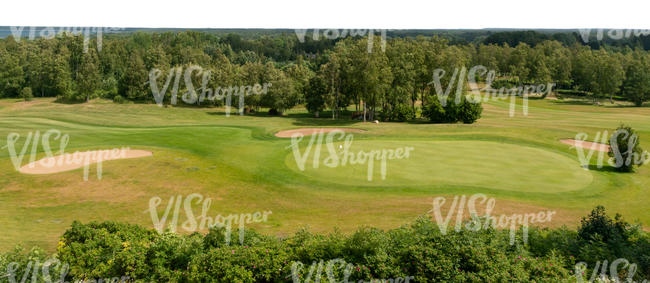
(420, 250)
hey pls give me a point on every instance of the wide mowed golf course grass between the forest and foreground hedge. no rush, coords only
(240, 164)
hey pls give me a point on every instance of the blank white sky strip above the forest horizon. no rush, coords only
(378, 14)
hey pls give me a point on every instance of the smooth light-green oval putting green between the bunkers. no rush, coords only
(494, 165)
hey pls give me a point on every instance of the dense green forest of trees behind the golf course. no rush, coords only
(391, 77)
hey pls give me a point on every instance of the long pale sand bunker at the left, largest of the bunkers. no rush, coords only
(72, 161)
